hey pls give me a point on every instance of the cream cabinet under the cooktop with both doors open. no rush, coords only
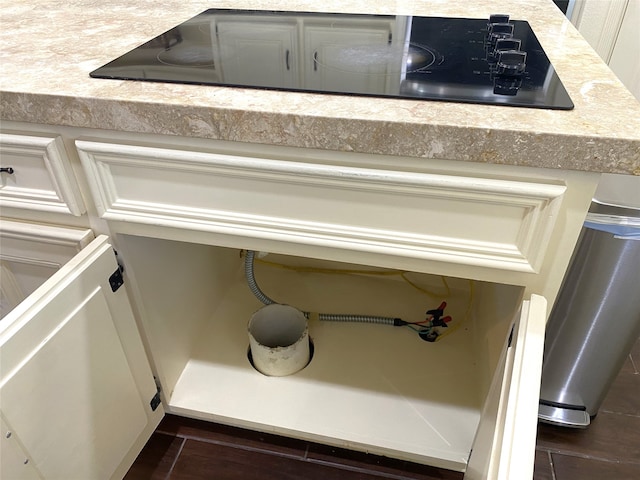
(488, 240)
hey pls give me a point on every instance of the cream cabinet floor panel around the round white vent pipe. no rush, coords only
(398, 396)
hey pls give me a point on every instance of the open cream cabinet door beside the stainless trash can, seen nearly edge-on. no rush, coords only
(504, 447)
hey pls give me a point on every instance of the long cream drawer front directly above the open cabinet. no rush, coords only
(475, 221)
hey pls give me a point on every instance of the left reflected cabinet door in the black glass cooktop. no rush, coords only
(258, 53)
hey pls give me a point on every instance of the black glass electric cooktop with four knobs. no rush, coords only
(487, 61)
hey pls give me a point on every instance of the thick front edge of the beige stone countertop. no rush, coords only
(369, 136)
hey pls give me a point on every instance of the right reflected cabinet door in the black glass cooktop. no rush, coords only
(341, 58)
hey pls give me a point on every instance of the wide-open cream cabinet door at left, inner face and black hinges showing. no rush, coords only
(77, 395)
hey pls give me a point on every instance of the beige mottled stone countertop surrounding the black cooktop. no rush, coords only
(50, 46)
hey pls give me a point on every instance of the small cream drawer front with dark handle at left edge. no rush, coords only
(41, 177)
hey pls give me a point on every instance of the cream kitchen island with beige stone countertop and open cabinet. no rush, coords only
(485, 200)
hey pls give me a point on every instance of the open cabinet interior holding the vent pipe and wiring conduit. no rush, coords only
(373, 387)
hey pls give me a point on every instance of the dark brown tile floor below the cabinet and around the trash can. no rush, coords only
(185, 449)
